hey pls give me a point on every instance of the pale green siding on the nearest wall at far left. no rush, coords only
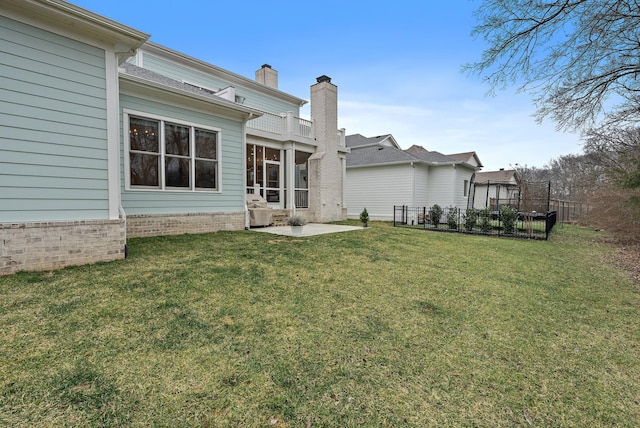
(53, 143)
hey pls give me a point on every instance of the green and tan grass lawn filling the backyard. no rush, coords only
(385, 327)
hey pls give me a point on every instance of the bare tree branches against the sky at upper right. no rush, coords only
(580, 59)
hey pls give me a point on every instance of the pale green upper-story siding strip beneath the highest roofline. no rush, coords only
(253, 99)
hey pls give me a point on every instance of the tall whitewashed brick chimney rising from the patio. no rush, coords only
(326, 165)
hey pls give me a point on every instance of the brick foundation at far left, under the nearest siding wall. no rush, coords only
(52, 245)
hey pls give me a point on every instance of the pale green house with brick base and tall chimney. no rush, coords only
(105, 135)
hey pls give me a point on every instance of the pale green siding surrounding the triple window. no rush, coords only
(230, 198)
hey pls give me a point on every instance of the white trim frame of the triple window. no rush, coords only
(161, 176)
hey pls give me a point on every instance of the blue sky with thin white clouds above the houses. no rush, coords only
(396, 64)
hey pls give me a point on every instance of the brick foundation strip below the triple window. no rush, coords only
(177, 224)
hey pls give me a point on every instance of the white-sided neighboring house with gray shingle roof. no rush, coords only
(380, 175)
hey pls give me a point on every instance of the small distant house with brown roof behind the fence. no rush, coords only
(491, 186)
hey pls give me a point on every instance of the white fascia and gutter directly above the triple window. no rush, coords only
(136, 86)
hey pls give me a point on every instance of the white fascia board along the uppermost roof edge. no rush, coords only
(236, 79)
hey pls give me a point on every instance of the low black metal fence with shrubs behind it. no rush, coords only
(530, 225)
